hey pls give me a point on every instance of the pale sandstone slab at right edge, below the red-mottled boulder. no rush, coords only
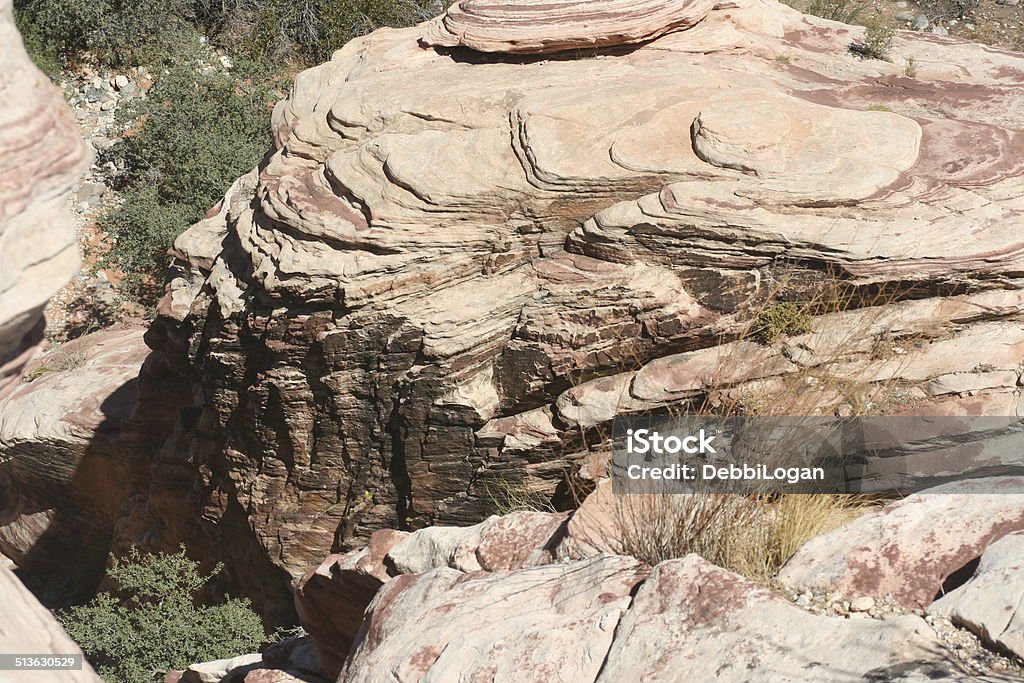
(990, 603)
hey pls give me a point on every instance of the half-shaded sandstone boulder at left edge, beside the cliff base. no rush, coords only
(63, 478)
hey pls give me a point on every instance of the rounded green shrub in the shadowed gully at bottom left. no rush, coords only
(158, 626)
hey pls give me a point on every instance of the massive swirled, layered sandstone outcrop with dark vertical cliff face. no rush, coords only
(470, 249)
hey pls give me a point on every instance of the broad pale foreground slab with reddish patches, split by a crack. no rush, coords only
(611, 619)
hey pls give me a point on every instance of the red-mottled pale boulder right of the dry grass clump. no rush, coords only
(902, 551)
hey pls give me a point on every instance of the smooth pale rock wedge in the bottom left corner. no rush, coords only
(29, 628)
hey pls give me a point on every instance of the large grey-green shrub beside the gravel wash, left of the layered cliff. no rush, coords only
(197, 132)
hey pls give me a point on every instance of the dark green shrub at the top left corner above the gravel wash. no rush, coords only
(118, 32)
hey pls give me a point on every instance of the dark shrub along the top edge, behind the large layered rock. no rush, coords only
(308, 31)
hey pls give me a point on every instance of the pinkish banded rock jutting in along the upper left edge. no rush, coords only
(42, 156)
